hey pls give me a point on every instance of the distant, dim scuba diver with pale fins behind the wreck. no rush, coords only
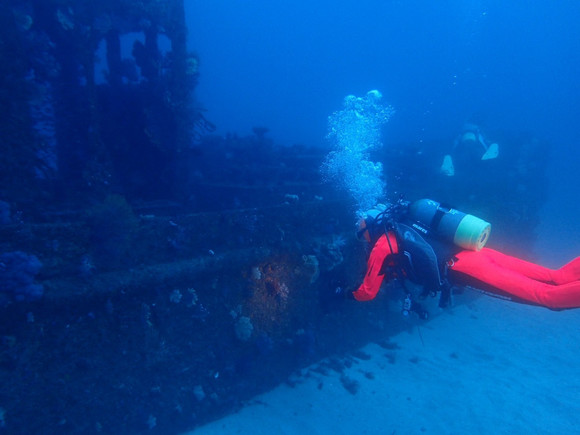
(469, 148)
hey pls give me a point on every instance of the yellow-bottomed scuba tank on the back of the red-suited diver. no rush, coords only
(465, 230)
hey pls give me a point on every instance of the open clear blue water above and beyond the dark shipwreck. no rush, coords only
(504, 65)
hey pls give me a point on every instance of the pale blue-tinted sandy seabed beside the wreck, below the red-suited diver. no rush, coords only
(487, 366)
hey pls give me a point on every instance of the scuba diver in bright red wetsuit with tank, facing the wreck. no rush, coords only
(443, 250)
